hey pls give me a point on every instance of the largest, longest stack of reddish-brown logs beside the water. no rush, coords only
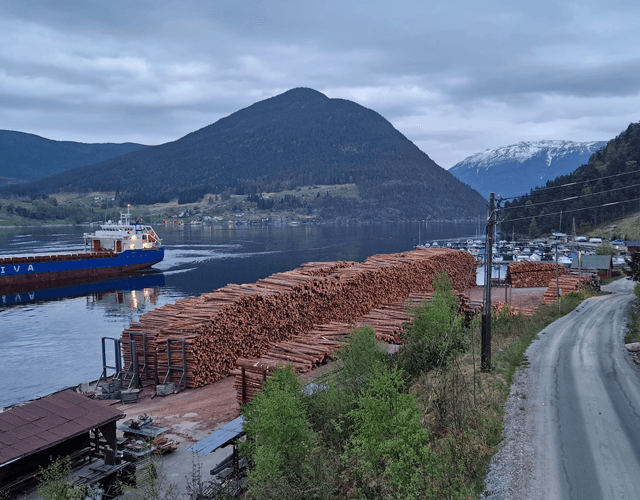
(243, 321)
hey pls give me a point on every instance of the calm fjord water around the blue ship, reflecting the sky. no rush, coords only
(52, 339)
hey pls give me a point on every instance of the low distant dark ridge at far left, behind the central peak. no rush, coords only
(25, 157)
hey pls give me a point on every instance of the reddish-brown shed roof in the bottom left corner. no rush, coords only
(48, 421)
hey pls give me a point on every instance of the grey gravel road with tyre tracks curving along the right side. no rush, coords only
(572, 420)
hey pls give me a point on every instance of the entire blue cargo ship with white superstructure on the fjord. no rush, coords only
(115, 249)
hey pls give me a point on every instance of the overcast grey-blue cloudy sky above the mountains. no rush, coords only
(456, 77)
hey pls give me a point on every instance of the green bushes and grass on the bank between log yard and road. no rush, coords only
(423, 423)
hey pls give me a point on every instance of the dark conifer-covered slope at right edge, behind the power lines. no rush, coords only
(606, 188)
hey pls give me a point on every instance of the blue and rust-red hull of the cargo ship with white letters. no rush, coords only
(47, 271)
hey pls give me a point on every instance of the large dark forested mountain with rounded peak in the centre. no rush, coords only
(297, 138)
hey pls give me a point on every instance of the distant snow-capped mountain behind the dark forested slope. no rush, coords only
(516, 169)
